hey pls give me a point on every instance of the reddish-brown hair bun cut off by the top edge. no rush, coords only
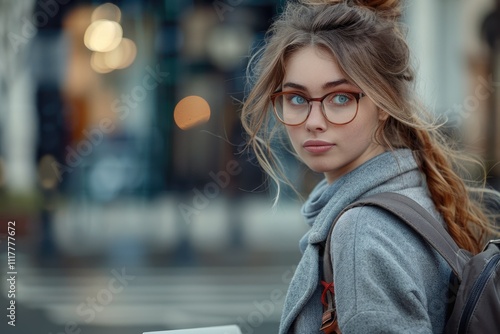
(389, 9)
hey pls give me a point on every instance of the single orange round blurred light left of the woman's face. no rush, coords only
(191, 111)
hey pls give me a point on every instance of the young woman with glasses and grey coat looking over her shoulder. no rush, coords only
(335, 78)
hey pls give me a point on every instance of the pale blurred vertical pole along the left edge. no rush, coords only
(17, 121)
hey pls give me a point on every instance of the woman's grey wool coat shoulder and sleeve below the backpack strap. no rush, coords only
(380, 263)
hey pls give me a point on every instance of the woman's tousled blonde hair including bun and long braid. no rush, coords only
(369, 45)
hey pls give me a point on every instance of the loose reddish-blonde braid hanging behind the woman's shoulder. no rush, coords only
(464, 213)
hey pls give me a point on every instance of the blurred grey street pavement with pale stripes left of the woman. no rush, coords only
(131, 267)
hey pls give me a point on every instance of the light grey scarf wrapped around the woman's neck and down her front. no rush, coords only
(389, 171)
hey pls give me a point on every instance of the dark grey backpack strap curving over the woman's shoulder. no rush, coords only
(415, 216)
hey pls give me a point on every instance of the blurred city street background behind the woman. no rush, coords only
(133, 208)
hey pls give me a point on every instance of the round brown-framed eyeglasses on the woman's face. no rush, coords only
(293, 108)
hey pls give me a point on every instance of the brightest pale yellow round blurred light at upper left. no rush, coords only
(103, 35)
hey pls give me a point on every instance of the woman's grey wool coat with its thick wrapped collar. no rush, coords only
(387, 280)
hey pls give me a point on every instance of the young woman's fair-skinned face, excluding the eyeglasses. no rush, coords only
(325, 147)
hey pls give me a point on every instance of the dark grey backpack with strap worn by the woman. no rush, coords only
(476, 309)
